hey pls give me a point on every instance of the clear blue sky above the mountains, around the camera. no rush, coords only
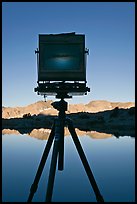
(109, 28)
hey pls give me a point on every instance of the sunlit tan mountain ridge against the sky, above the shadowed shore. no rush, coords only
(42, 107)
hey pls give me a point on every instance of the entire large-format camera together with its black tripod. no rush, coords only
(62, 72)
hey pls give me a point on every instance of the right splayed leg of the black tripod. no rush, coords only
(85, 162)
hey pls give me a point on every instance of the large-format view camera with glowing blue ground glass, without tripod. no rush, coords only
(61, 60)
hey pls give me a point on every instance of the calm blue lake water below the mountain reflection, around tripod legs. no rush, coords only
(112, 161)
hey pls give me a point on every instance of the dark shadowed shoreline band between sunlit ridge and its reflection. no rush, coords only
(118, 122)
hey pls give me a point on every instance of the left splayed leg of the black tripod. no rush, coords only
(41, 165)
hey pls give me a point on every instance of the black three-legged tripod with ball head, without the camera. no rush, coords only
(57, 133)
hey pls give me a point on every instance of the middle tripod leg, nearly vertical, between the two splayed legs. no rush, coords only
(52, 170)
